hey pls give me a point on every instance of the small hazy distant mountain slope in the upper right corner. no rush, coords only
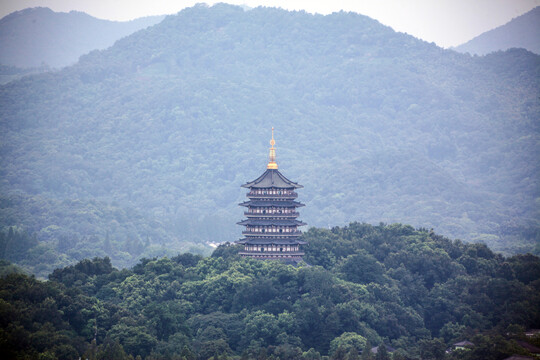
(521, 32)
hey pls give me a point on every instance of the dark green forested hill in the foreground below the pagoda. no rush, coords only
(408, 291)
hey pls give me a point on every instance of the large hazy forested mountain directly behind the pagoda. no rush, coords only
(149, 140)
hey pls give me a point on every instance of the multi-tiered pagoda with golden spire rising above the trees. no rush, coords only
(271, 226)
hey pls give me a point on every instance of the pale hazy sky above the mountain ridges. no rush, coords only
(445, 22)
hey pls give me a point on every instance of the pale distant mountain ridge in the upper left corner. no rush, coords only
(39, 36)
